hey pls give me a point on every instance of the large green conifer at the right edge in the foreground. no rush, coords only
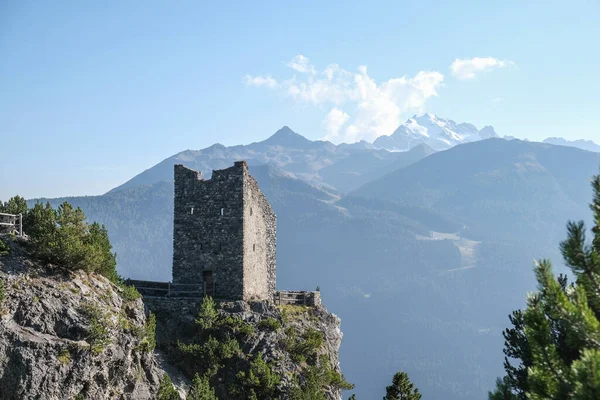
(555, 340)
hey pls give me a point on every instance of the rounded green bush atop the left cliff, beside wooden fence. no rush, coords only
(63, 237)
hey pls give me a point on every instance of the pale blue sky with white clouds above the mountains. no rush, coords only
(92, 93)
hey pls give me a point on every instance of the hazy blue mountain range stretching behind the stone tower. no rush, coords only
(422, 253)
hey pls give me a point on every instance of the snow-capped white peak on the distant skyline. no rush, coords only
(438, 133)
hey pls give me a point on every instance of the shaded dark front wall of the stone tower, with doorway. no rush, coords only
(208, 229)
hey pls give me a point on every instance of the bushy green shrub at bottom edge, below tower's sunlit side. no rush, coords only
(259, 382)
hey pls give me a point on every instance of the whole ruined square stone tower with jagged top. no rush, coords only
(224, 236)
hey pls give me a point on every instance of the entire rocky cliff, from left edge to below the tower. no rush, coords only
(75, 335)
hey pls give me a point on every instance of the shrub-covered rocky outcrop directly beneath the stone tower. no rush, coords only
(253, 349)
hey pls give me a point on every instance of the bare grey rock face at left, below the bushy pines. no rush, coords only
(46, 330)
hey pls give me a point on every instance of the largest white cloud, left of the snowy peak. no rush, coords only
(371, 109)
